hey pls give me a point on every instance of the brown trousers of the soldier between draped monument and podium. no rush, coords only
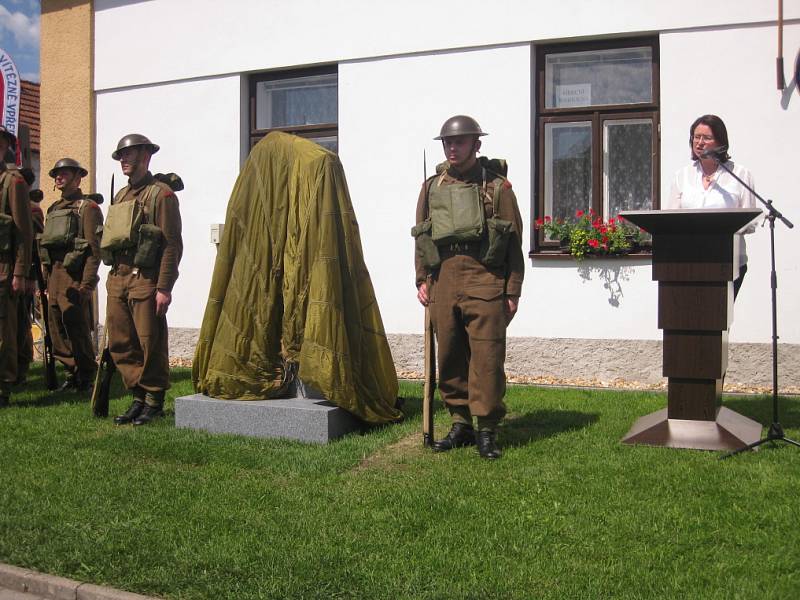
(469, 318)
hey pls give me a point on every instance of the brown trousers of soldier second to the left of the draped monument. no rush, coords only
(69, 319)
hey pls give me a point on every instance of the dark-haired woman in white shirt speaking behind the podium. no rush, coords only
(705, 184)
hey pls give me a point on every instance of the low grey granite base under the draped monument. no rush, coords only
(305, 419)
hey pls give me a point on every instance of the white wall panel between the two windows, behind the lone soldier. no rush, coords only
(389, 112)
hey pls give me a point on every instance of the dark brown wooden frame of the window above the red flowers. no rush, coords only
(596, 115)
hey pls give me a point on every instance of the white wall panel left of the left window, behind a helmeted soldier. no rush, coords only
(196, 123)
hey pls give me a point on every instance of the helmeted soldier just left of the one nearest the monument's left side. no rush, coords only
(70, 255)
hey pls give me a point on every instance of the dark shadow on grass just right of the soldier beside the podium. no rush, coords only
(541, 424)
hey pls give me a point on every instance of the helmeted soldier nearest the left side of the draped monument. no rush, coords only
(143, 273)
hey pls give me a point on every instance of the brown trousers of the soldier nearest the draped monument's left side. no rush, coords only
(137, 338)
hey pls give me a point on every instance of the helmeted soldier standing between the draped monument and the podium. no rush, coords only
(469, 271)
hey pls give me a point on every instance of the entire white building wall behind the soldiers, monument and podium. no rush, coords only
(391, 106)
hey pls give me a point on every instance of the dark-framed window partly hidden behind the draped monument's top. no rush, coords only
(304, 103)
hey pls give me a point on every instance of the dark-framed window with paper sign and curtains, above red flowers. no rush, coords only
(597, 130)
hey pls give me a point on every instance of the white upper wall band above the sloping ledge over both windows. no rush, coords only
(181, 39)
